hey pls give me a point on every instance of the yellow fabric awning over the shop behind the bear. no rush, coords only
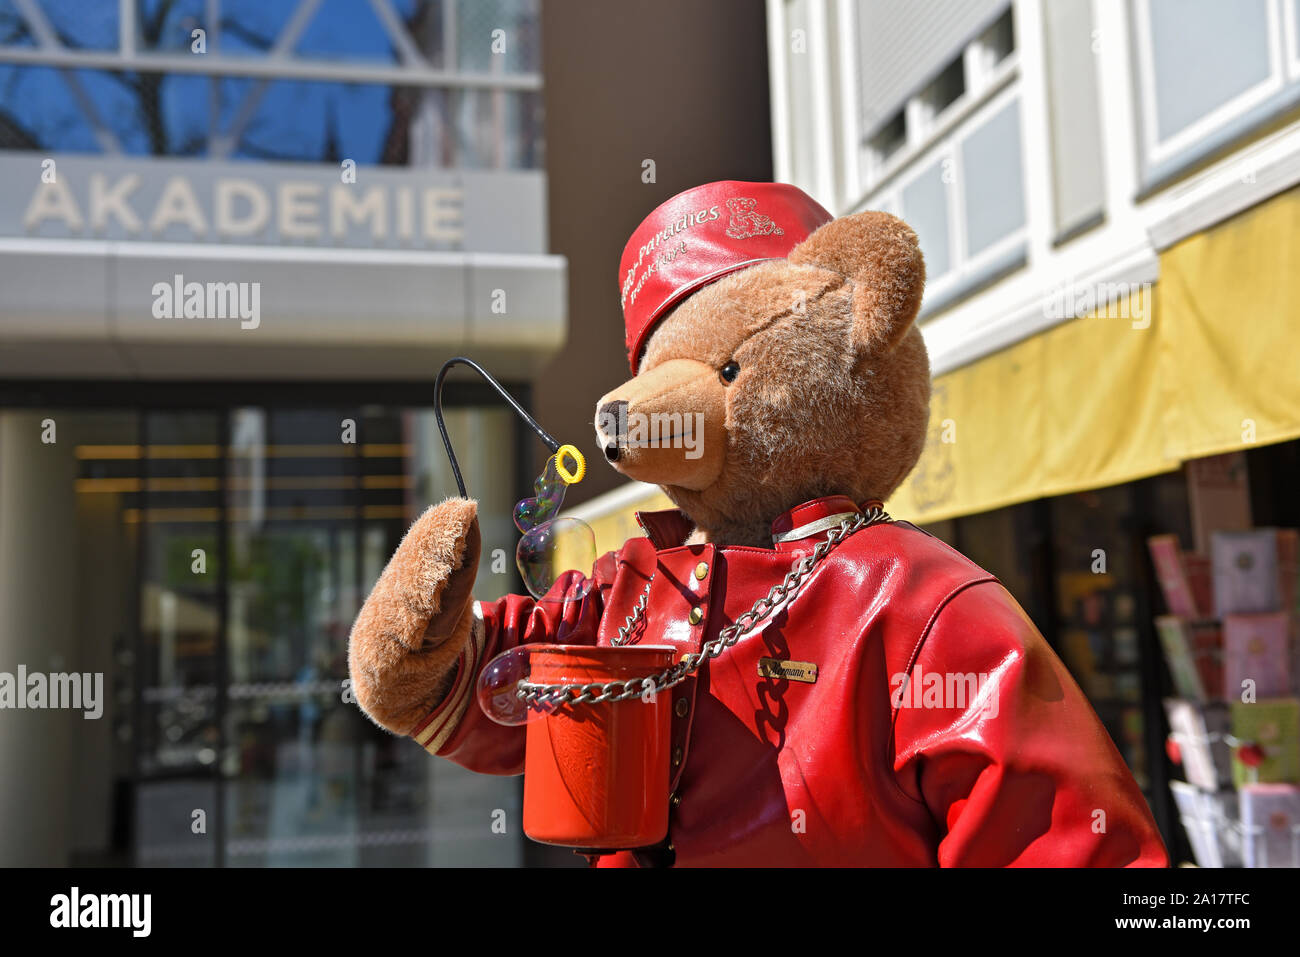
(1108, 399)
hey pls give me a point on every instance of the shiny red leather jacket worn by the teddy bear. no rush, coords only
(998, 761)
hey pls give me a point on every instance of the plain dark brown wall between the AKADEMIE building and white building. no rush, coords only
(679, 83)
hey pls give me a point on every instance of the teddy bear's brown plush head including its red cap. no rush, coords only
(773, 369)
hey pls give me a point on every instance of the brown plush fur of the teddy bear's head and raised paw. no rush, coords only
(833, 397)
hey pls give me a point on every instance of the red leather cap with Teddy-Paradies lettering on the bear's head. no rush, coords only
(701, 236)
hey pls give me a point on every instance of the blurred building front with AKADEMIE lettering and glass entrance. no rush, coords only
(237, 241)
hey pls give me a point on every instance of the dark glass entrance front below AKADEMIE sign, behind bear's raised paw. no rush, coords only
(258, 534)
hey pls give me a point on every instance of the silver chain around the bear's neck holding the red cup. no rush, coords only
(554, 695)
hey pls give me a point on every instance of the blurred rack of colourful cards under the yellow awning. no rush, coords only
(1236, 726)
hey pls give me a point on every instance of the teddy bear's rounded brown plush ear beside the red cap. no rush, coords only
(881, 256)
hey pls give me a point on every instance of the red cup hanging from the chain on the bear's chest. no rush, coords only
(597, 776)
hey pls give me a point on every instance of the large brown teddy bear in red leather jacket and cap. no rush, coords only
(887, 701)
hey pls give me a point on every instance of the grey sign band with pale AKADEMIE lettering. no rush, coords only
(67, 197)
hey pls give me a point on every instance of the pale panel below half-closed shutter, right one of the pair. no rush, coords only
(994, 185)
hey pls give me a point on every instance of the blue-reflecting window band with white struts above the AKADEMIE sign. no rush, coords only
(289, 119)
